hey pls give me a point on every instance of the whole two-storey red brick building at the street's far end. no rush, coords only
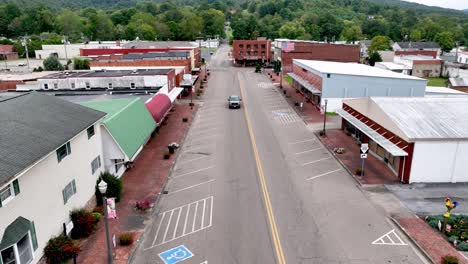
(250, 52)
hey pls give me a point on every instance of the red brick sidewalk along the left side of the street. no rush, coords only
(143, 181)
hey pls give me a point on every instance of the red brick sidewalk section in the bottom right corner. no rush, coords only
(429, 240)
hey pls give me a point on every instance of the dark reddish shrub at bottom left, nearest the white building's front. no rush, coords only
(60, 249)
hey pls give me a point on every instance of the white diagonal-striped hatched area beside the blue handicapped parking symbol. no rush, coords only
(183, 221)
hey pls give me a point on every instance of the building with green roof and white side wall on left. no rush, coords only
(126, 128)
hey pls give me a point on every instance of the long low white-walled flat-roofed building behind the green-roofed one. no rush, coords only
(136, 80)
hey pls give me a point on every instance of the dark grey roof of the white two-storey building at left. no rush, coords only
(34, 125)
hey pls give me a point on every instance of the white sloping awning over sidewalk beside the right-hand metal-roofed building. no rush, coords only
(379, 139)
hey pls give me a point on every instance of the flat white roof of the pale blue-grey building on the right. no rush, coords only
(346, 68)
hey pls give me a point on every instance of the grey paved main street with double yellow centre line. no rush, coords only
(258, 187)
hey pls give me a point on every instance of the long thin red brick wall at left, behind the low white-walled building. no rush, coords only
(143, 63)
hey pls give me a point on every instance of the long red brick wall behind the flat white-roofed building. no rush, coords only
(320, 51)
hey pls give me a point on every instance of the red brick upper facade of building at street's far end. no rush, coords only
(236, 48)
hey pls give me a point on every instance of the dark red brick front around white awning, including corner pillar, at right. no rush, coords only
(405, 163)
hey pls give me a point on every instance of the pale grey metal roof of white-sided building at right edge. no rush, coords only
(427, 117)
